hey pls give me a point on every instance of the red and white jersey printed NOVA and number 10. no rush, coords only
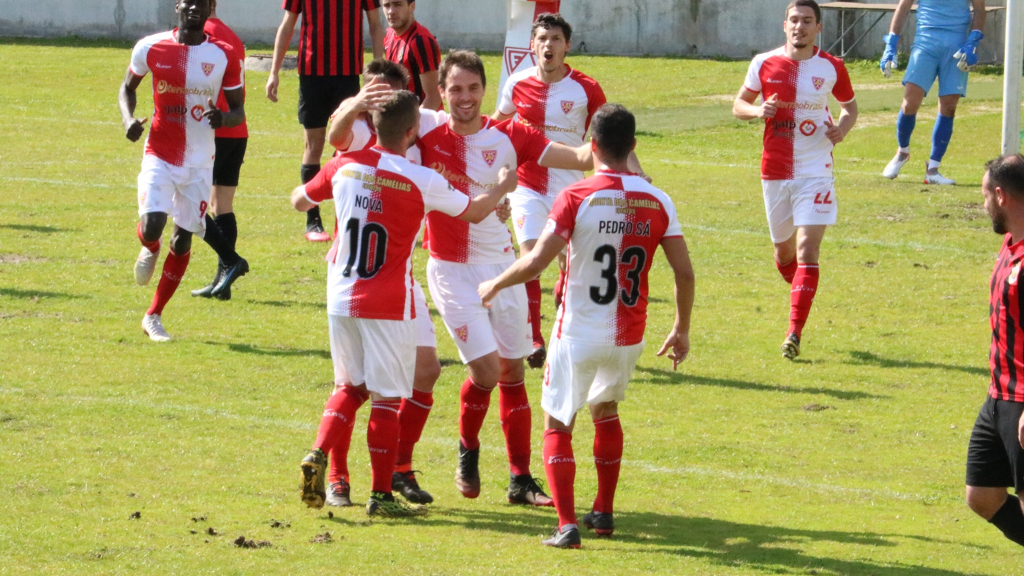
(380, 200)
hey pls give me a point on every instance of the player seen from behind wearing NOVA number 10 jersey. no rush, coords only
(382, 199)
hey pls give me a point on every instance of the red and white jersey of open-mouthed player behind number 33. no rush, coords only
(562, 110)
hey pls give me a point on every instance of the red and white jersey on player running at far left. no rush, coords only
(184, 77)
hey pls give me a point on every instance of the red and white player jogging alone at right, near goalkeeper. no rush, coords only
(797, 166)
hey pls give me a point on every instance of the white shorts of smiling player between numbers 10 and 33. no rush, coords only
(478, 331)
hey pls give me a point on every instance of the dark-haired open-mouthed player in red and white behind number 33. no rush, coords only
(560, 102)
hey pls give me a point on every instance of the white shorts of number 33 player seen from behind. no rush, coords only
(579, 374)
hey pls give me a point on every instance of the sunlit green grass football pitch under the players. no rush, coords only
(849, 461)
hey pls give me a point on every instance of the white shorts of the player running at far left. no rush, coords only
(180, 192)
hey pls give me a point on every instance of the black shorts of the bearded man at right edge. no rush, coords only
(995, 458)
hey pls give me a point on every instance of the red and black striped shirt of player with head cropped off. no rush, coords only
(331, 36)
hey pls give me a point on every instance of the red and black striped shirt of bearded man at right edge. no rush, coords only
(1007, 356)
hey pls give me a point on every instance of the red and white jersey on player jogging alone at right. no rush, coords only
(795, 143)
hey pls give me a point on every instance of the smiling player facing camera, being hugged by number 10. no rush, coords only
(471, 150)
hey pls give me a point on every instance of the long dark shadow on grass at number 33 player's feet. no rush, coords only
(729, 545)
